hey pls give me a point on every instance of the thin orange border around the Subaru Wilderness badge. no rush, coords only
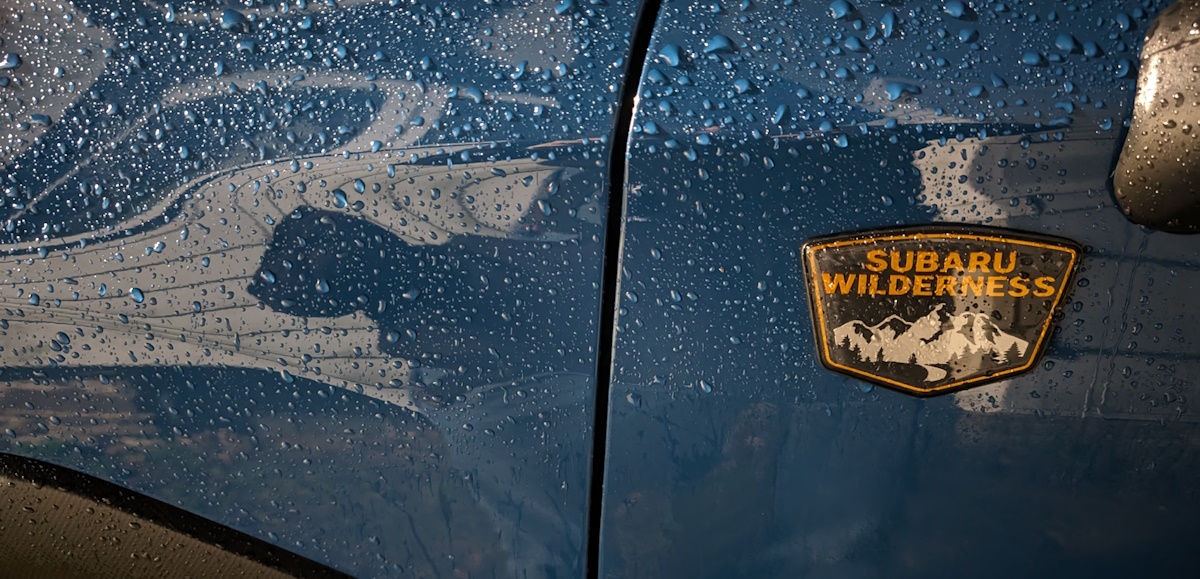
(933, 232)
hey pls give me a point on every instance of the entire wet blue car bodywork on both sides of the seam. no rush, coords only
(334, 276)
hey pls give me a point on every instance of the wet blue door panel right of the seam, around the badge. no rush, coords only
(733, 452)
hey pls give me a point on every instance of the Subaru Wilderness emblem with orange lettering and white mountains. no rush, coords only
(933, 309)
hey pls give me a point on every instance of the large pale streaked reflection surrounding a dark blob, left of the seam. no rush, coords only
(193, 273)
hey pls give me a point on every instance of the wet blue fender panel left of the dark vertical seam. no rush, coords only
(328, 273)
